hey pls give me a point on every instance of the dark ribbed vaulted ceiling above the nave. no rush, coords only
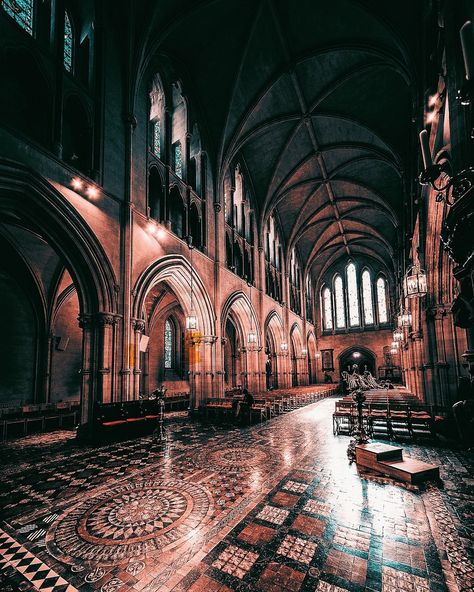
(317, 98)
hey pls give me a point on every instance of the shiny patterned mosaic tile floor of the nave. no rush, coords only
(272, 508)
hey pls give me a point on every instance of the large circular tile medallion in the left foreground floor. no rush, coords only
(129, 520)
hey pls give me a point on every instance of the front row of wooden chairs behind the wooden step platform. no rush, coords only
(386, 419)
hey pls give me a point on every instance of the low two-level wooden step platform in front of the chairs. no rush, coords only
(389, 461)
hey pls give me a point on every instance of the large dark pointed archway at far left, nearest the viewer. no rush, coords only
(64, 284)
